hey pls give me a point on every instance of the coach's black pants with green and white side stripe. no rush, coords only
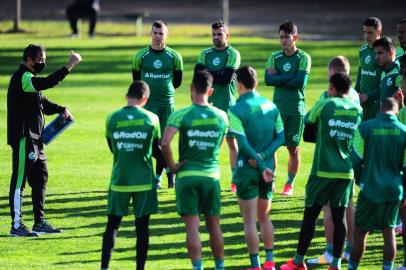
(29, 163)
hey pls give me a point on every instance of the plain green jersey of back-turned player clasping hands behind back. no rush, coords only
(258, 120)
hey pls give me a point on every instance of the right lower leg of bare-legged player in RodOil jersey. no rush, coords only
(216, 240)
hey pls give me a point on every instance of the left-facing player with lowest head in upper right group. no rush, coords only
(391, 79)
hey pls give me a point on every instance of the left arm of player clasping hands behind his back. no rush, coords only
(237, 129)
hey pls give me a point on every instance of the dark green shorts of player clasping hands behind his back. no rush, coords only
(251, 185)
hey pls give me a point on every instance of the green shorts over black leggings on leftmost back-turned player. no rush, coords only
(143, 202)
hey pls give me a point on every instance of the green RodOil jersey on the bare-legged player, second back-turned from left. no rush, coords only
(201, 131)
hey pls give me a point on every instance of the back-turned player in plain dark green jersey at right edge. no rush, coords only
(380, 180)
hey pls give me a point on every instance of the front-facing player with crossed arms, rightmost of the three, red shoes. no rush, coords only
(288, 71)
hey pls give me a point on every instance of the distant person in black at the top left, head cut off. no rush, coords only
(83, 9)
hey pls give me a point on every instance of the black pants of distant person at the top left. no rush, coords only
(74, 12)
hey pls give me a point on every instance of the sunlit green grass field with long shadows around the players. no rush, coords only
(80, 162)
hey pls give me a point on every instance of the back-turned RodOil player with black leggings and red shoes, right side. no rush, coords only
(331, 178)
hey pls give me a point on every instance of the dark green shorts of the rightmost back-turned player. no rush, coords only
(371, 216)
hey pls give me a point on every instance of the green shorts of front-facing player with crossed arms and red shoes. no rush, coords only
(293, 127)
